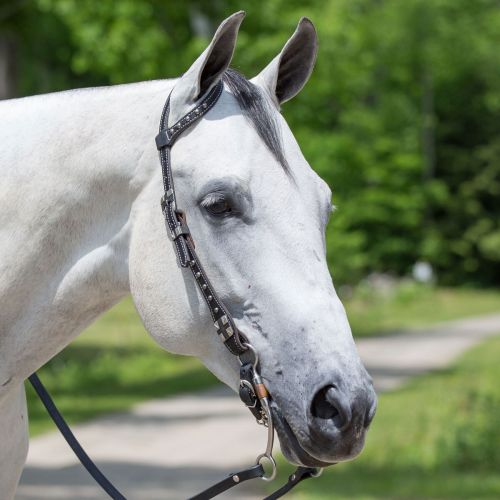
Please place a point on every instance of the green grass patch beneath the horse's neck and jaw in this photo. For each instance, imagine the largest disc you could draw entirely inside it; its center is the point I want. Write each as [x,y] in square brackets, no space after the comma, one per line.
[111,366]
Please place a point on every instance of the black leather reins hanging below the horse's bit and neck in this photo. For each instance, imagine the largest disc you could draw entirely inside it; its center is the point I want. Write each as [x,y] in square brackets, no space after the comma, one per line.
[232,480]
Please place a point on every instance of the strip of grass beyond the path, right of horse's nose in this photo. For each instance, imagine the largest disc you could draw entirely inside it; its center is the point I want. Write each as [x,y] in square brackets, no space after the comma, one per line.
[410,306]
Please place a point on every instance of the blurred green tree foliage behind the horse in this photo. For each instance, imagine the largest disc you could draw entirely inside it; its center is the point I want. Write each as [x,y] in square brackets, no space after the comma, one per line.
[400,116]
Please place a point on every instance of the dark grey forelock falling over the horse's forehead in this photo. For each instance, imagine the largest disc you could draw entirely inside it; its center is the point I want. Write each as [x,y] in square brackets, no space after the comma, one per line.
[255,107]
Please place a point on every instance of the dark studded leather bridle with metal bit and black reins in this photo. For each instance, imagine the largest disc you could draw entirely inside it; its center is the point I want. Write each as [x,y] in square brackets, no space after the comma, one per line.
[252,389]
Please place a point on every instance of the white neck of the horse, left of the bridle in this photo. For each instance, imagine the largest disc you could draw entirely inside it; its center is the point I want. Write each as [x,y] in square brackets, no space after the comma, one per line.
[88,156]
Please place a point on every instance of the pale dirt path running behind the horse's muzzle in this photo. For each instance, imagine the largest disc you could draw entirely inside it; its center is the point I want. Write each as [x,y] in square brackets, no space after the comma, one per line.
[169,449]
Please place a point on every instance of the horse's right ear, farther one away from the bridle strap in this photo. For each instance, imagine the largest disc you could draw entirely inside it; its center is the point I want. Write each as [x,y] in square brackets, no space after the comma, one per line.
[288,72]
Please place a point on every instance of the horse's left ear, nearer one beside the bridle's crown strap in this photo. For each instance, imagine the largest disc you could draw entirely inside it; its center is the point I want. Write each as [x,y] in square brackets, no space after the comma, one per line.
[207,70]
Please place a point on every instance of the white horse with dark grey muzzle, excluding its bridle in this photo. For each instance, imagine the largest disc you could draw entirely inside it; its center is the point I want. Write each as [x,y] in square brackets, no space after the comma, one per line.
[81,227]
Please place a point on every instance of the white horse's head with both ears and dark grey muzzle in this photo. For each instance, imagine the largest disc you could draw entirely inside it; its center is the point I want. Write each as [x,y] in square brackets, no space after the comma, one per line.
[258,214]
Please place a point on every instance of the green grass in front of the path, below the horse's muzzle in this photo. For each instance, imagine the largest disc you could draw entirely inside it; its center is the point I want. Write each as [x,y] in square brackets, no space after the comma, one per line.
[438,437]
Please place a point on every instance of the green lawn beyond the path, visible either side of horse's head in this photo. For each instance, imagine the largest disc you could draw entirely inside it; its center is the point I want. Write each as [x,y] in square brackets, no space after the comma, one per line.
[115,364]
